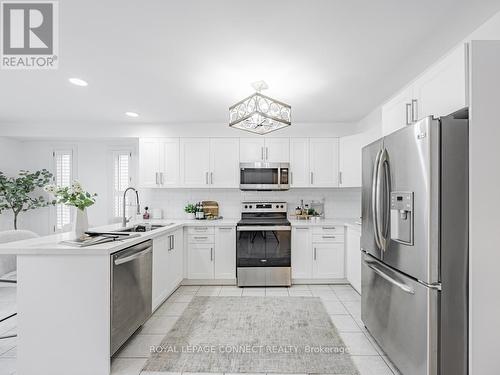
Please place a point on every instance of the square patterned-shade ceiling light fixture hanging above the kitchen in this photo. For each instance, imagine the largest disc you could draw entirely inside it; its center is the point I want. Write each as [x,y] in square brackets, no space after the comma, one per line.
[258,113]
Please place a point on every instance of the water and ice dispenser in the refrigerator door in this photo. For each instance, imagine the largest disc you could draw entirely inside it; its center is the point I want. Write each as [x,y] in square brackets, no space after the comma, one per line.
[402,217]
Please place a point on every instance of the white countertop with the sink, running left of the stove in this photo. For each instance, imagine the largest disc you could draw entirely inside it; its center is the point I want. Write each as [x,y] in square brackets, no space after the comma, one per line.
[51,245]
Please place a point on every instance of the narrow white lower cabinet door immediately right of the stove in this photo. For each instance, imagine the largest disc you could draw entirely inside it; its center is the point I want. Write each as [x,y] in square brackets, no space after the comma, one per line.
[301,253]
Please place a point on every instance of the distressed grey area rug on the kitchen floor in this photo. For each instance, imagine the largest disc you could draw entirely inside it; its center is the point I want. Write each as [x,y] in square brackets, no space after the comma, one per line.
[253,335]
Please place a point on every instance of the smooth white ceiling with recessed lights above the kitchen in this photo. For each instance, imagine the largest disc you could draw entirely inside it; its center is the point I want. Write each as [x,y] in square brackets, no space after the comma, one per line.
[187,61]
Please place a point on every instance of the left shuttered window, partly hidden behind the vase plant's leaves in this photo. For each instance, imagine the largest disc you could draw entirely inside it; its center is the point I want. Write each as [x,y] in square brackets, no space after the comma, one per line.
[63,176]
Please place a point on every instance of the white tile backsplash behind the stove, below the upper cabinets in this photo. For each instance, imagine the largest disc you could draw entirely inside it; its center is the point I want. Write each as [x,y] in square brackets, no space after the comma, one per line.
[339,203]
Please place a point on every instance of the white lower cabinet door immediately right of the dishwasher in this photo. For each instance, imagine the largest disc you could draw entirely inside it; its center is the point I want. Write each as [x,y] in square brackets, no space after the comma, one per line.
[161,280]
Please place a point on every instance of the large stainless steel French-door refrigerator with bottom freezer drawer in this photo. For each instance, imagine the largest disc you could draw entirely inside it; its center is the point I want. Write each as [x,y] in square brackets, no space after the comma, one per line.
[414,245]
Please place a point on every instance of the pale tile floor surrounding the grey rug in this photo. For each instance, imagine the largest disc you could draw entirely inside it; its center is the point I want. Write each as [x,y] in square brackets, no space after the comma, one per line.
[342,302]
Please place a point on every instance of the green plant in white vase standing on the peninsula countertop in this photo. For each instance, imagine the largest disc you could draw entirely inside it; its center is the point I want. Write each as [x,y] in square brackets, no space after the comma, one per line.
[75,196]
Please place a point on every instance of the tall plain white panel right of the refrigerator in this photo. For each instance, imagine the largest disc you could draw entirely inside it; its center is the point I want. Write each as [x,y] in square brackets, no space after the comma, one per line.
[484,201]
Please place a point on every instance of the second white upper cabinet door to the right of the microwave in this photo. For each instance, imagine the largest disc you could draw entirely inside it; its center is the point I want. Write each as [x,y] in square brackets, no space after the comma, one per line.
[324,162]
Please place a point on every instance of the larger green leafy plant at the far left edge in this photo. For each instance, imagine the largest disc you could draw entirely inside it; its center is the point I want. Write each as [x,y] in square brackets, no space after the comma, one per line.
[16,192]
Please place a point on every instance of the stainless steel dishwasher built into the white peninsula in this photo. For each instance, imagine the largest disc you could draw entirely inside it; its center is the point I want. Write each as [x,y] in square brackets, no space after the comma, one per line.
[131,284]
